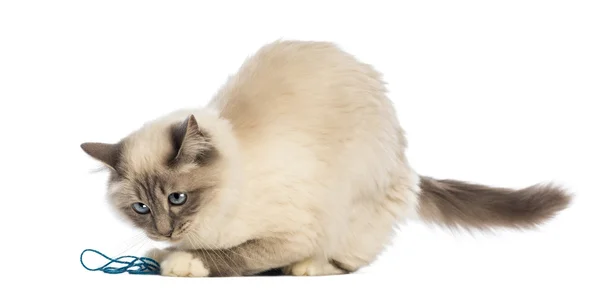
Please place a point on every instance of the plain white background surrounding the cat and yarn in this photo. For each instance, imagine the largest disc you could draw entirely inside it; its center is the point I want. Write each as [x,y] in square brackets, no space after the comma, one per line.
[499,92]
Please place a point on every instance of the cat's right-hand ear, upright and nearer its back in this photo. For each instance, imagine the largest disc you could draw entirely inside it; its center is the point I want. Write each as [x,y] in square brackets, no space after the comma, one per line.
[191,143]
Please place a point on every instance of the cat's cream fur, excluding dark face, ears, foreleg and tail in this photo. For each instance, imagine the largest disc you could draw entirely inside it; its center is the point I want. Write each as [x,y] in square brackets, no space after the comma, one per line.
[314,158]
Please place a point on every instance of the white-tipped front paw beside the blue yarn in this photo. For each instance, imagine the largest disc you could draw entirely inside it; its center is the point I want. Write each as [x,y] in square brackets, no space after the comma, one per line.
[182,264]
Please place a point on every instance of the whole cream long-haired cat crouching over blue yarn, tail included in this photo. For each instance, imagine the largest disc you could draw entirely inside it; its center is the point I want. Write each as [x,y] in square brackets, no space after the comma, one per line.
[296,163]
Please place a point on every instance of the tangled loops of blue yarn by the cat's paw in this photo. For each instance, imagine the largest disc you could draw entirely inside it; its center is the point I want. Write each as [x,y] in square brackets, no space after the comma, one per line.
[131,264]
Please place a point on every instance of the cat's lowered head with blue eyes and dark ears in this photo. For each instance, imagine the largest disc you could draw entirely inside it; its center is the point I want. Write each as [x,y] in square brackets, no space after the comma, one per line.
[173,177]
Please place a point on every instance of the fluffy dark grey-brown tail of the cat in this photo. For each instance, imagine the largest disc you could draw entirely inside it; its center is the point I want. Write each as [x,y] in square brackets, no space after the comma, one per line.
[457,204]
